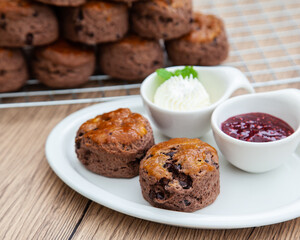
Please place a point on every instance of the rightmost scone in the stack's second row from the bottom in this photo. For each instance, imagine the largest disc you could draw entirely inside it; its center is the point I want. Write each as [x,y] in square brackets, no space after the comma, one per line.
[162,19]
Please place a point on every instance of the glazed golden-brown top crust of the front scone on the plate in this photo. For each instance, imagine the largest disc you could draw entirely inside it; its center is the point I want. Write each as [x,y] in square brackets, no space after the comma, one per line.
[190,154]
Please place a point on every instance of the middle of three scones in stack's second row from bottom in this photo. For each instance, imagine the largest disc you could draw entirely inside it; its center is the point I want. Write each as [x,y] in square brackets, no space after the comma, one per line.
[95,22]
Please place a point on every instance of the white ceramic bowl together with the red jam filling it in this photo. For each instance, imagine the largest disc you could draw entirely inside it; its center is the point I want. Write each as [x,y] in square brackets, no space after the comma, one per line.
[258,132]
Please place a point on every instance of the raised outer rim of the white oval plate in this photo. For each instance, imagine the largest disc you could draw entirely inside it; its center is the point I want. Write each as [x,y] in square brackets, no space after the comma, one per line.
[181,219]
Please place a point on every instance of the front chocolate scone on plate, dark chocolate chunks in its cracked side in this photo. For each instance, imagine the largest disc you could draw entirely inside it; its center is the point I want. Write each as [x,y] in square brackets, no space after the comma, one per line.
[181,174]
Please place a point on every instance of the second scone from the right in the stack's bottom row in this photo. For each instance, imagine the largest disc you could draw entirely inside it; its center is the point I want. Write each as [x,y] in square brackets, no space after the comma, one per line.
[132,58]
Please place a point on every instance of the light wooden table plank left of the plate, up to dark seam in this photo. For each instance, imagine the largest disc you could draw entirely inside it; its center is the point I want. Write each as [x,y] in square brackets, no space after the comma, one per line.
[35,204]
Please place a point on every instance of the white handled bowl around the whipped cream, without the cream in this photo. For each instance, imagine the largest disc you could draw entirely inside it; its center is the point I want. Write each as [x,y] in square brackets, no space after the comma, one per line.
[220,83]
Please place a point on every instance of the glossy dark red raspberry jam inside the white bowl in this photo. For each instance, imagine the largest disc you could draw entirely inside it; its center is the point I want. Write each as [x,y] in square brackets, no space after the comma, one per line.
[256,127]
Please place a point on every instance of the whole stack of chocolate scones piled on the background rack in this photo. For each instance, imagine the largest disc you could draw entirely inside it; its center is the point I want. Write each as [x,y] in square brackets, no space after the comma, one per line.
[128,36]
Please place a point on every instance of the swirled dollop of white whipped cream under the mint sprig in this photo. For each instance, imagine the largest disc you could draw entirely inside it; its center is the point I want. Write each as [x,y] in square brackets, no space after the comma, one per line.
[182,94]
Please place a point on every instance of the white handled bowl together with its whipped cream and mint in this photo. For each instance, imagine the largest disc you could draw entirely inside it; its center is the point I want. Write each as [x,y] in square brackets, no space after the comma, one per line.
[218,82]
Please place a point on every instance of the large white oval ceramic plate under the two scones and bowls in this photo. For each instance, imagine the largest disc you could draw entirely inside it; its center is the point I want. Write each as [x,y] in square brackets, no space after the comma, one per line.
[246,200]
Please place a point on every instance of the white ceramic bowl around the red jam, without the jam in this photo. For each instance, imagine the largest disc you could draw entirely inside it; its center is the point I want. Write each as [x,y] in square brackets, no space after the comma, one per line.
[259,156]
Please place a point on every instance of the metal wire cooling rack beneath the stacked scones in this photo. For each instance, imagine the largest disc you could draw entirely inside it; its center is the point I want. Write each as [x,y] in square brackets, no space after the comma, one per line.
[264,37]
